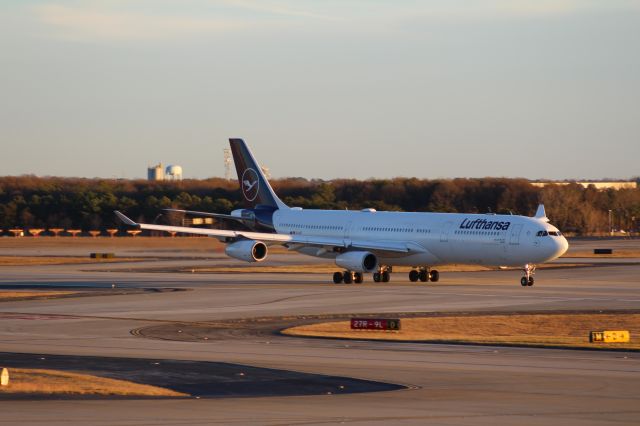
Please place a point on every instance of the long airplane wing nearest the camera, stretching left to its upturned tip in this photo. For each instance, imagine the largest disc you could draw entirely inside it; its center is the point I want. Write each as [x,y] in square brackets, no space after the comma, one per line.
[396,247]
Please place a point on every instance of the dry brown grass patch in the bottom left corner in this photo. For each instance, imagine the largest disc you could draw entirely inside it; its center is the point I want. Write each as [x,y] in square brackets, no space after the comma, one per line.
[53,382]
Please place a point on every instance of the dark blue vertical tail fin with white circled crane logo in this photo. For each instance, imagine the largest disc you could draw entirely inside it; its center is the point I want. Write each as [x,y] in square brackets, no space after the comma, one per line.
[255,187]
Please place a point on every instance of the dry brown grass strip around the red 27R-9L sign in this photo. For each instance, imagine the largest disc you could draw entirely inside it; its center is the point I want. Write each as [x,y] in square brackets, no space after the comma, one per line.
[549,329]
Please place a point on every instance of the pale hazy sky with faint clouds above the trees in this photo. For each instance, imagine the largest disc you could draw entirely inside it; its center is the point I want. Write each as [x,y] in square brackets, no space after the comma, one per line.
[540,89]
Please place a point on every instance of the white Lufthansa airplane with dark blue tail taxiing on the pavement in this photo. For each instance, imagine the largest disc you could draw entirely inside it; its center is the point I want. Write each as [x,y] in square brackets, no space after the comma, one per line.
[370,241]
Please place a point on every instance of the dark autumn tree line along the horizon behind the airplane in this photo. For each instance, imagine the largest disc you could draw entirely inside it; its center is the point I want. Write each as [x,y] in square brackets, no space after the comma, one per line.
[50,202]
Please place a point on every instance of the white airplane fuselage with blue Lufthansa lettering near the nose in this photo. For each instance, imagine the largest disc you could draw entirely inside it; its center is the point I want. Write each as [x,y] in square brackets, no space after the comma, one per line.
[439,238]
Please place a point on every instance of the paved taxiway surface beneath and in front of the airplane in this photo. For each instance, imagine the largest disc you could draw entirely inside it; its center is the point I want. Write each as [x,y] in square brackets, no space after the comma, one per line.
[446,384]
